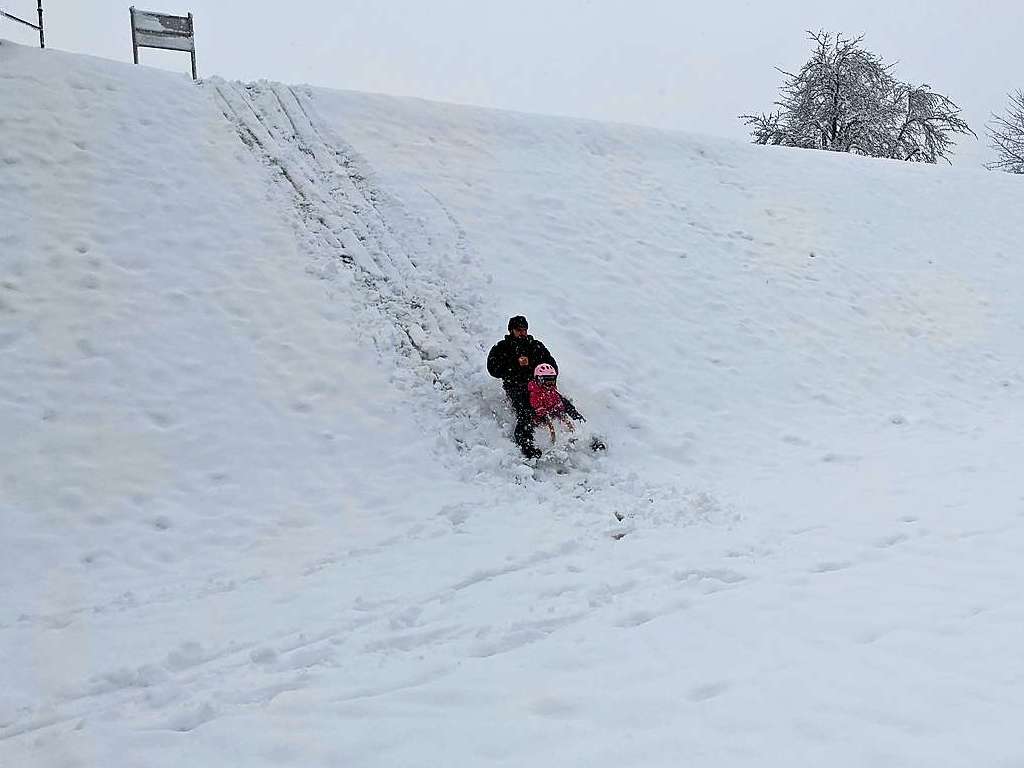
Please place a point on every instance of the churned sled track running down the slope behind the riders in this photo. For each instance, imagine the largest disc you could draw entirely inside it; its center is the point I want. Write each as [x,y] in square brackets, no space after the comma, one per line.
[345,224]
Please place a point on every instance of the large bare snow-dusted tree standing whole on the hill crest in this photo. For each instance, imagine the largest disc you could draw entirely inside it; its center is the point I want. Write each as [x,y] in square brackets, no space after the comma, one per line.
[845,99]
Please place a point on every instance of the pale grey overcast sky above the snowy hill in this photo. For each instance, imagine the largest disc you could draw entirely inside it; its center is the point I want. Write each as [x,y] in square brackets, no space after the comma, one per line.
[670,64]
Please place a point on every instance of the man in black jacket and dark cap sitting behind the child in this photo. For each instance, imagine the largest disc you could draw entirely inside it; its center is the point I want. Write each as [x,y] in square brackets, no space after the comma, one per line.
[513,360]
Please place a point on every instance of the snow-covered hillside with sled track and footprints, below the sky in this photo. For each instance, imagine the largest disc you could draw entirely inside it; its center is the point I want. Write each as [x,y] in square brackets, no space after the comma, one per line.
[259,499]
